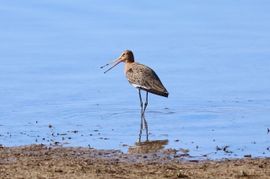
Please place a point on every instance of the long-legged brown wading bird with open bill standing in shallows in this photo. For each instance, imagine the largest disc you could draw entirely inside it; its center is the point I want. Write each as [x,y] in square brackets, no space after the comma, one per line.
[142,78]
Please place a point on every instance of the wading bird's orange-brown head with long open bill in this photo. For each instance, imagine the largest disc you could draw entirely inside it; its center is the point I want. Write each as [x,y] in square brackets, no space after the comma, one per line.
[126,57]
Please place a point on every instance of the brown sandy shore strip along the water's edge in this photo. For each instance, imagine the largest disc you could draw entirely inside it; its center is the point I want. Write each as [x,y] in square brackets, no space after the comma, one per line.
[40,161]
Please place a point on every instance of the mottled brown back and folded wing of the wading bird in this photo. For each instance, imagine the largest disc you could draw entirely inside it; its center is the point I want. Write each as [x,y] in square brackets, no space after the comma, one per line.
[146,79]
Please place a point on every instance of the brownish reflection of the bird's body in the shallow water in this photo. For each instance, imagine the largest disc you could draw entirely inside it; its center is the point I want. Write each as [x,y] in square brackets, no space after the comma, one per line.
[147,146]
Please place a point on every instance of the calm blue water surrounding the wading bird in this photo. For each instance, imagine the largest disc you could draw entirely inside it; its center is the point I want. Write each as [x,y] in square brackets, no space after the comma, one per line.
[212,56]
